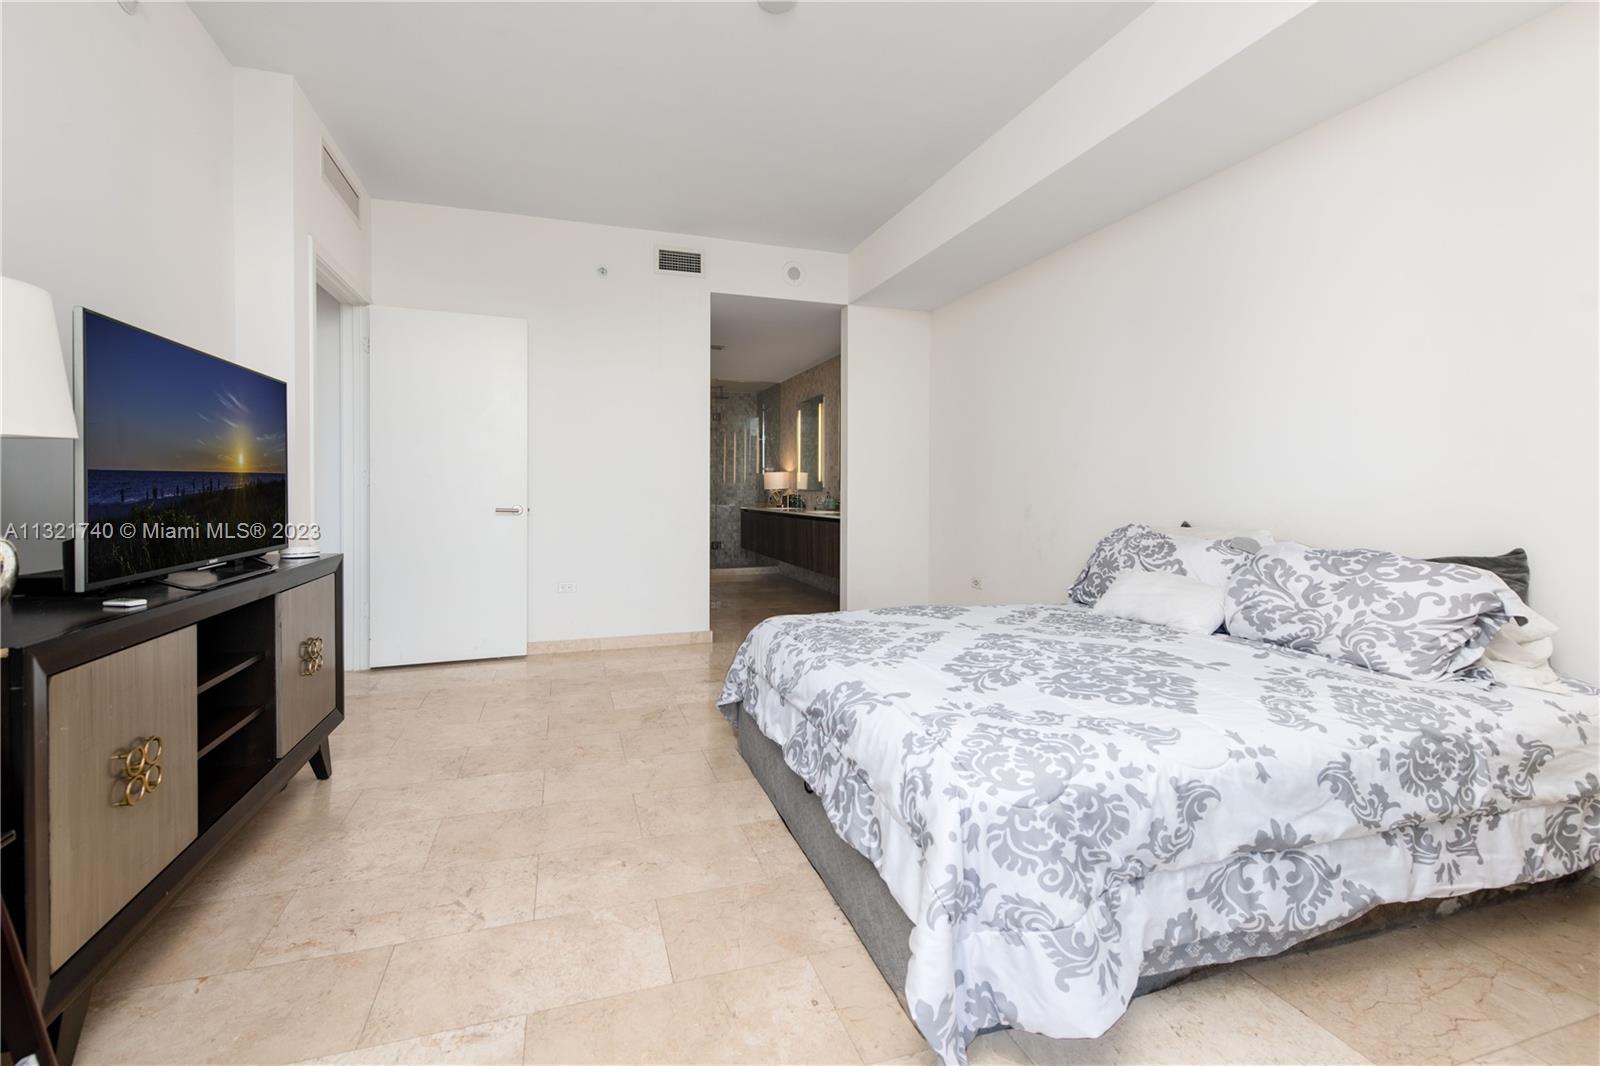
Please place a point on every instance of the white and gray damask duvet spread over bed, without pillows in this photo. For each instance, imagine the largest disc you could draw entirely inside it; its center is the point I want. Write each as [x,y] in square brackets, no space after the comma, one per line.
[1063,801]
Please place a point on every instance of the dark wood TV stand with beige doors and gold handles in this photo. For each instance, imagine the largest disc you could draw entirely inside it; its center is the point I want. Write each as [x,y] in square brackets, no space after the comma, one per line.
[230,694]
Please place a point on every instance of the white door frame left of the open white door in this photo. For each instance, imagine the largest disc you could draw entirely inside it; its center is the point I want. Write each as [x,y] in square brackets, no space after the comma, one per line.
[354,355]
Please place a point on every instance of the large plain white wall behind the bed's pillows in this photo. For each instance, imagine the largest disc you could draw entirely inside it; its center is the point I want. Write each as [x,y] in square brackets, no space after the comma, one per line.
[1378,334]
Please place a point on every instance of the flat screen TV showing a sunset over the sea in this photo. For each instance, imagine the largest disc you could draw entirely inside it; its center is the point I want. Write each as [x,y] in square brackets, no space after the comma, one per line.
[182,462]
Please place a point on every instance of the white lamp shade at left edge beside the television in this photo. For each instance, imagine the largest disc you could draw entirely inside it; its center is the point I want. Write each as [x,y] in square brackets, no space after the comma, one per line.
[36,399]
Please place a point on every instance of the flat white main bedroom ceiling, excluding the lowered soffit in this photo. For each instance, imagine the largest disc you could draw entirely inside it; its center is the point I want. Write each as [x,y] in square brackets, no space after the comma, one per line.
[807,129]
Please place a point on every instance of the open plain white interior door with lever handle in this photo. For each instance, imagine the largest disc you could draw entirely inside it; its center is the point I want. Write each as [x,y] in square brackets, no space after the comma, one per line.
[449,487]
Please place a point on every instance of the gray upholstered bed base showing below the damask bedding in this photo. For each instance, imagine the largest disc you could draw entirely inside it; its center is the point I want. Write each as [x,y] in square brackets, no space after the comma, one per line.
[886,931]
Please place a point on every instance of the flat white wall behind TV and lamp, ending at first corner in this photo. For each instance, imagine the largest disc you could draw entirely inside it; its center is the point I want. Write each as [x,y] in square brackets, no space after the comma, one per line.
[118,194]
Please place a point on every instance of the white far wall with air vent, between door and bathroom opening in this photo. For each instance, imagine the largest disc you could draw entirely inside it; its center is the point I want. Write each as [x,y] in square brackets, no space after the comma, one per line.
[620,412]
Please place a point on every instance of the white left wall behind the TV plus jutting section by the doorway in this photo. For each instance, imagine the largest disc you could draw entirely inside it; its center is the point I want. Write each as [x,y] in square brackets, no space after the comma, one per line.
[150,180]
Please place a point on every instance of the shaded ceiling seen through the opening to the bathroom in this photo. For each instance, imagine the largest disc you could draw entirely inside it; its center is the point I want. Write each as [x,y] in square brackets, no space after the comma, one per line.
[770,340]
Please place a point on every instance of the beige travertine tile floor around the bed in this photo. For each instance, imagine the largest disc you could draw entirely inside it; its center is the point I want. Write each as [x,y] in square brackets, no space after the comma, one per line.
[564,860]
